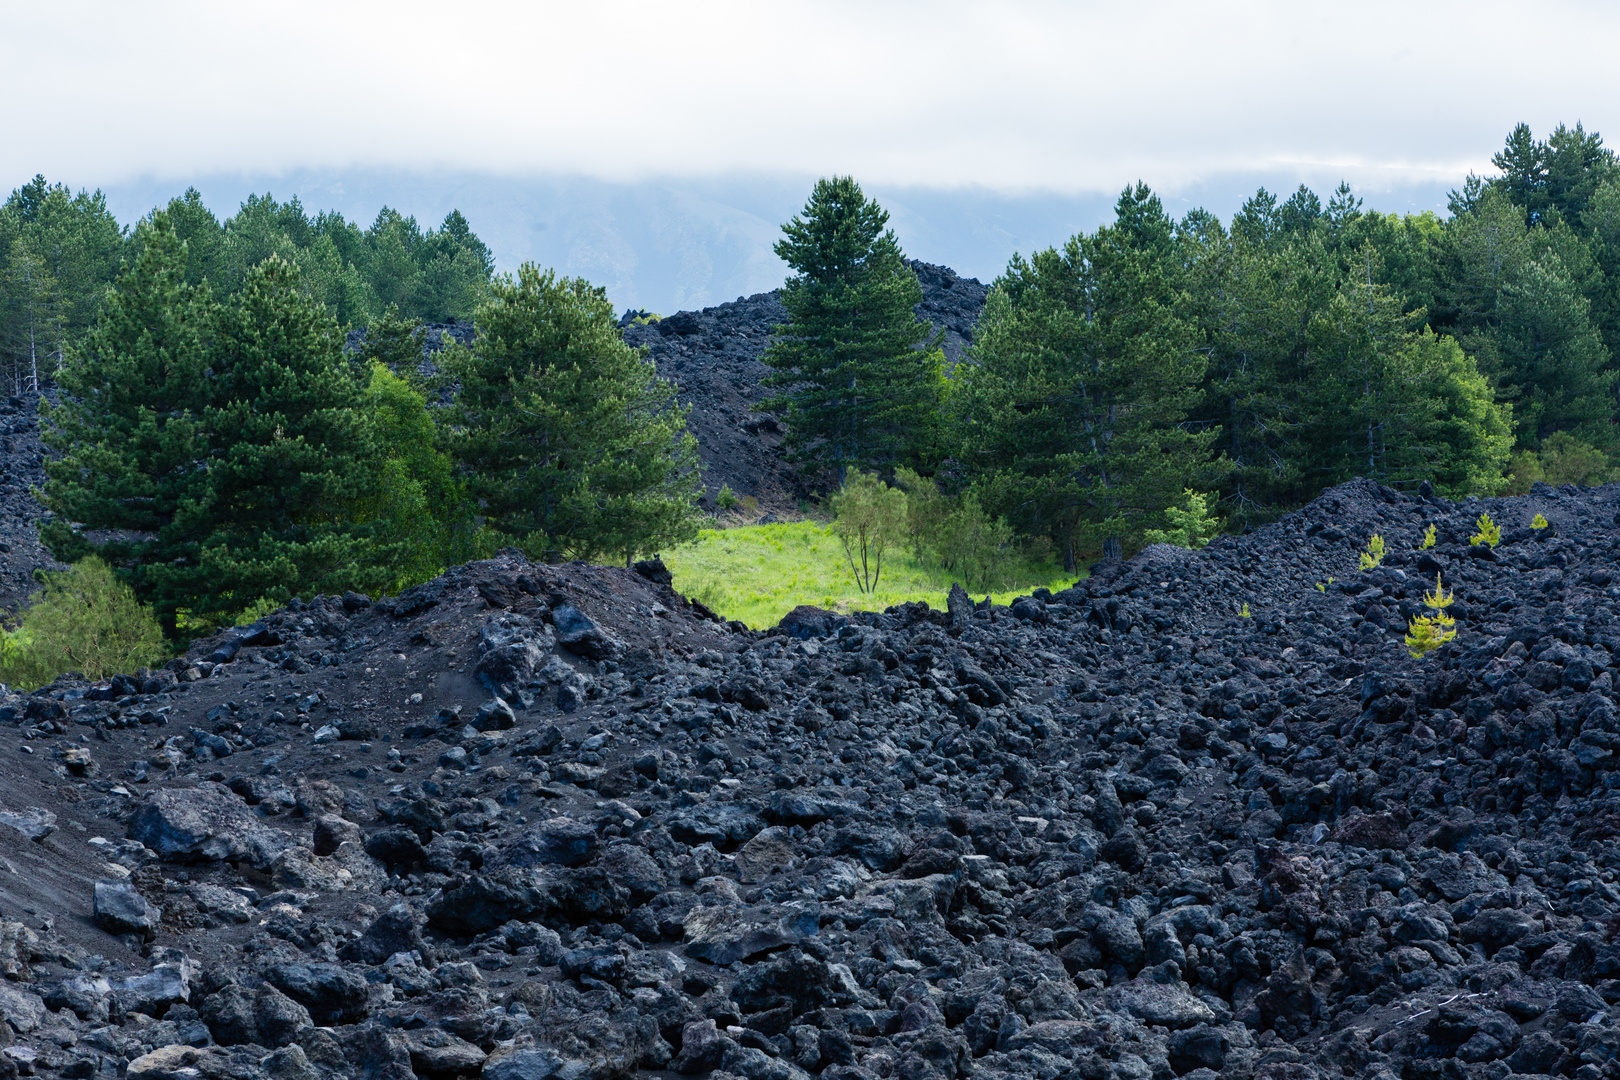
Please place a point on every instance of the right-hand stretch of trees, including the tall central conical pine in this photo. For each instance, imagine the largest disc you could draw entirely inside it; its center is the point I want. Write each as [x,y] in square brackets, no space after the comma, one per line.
[1140,367]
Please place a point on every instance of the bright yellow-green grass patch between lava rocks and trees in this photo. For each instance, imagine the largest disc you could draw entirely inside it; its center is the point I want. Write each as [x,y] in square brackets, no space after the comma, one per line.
[762,572]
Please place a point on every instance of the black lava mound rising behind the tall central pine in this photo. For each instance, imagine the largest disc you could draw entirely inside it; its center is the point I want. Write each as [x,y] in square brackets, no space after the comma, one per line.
[714,355]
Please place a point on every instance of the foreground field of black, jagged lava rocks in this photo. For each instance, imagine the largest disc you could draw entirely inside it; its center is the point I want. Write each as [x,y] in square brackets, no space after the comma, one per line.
[555,822]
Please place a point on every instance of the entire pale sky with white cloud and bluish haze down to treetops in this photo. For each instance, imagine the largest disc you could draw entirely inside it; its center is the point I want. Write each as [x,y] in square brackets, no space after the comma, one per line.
[660,147]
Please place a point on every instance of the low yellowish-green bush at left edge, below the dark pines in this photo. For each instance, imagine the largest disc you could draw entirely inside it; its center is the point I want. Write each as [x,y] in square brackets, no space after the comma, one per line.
[83,621]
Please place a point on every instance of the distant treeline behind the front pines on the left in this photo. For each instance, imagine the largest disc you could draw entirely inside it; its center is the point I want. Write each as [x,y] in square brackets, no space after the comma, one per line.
[61,252]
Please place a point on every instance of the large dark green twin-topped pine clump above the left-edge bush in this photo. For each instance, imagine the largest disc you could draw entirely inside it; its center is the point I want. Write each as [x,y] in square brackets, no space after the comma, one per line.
[220,454]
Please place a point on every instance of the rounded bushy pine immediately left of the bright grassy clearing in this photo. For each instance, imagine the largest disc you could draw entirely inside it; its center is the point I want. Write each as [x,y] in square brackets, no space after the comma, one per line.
[568,435]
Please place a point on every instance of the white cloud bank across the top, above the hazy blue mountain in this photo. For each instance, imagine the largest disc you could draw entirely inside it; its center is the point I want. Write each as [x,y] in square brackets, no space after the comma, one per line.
[1008,96]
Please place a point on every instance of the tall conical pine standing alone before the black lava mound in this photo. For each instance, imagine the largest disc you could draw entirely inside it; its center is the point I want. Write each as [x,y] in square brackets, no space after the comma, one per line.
[863,380]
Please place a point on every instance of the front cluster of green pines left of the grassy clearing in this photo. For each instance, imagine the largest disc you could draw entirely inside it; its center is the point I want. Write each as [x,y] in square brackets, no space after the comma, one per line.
[223,453]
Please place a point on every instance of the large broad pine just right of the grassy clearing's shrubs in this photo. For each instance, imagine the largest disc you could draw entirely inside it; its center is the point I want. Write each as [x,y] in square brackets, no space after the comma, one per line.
[1072,419]
